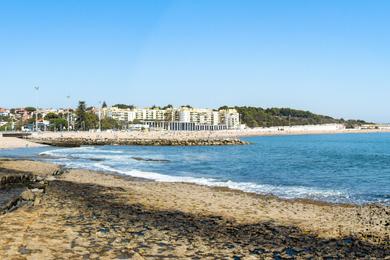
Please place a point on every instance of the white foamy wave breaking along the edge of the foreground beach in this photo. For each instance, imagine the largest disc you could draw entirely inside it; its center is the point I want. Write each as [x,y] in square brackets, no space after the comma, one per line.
[119,162]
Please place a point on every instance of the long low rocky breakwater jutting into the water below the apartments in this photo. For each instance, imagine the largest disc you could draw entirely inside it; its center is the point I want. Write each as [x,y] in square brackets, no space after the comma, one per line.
[77,142]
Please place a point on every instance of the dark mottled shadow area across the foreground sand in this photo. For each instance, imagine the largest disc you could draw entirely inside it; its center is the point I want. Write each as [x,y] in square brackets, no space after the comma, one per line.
[110,212]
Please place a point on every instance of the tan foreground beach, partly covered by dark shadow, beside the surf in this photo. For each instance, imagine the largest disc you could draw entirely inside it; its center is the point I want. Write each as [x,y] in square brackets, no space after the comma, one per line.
[92,214]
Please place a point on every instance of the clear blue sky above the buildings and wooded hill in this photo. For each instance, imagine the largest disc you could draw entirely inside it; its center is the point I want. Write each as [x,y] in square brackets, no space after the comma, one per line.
[330,57]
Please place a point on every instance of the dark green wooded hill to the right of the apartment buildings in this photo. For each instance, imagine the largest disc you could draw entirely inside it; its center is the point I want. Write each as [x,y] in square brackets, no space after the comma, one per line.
[259,117]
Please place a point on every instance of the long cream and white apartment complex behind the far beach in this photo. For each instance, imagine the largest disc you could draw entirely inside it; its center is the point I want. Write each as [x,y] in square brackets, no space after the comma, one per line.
[184,118]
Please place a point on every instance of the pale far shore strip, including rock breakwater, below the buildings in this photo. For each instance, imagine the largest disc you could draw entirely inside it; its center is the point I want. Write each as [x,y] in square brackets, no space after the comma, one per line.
[163,138]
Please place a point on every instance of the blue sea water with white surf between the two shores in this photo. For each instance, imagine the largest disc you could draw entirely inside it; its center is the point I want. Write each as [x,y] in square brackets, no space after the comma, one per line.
[344,168]
